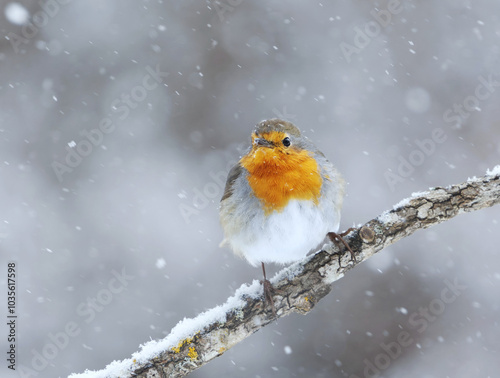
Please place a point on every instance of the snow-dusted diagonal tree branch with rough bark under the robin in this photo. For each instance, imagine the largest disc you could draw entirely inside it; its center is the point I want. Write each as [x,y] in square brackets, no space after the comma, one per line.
[194,342]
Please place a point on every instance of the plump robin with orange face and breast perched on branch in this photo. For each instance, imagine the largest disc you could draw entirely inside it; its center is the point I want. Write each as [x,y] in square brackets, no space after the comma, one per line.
[281,199]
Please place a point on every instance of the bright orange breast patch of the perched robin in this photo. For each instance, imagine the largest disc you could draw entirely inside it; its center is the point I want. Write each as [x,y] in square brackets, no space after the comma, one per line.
[277,177]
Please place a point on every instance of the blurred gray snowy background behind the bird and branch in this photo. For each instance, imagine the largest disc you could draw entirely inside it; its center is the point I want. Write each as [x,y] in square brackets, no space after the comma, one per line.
[371,83]
